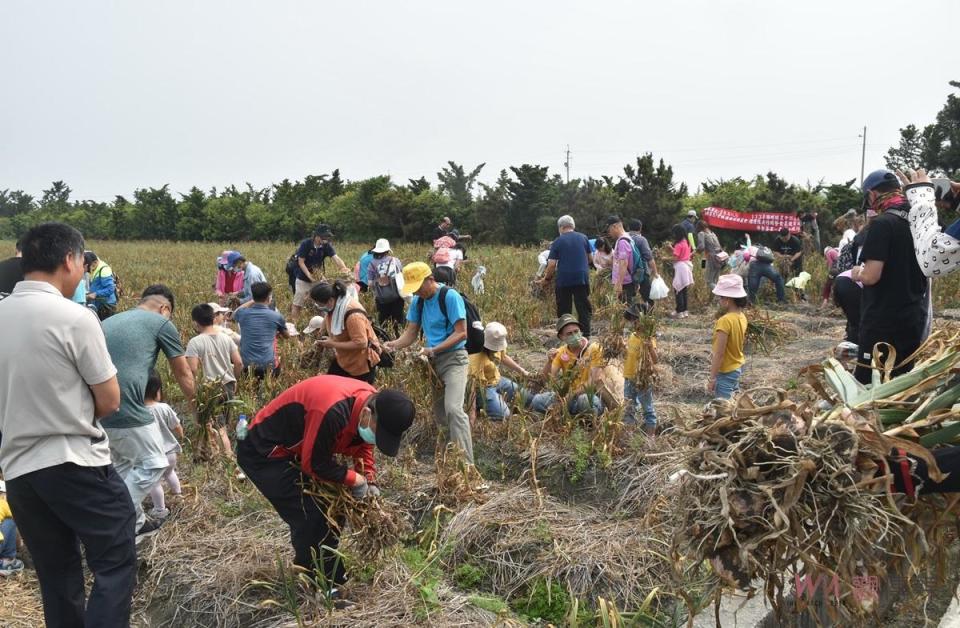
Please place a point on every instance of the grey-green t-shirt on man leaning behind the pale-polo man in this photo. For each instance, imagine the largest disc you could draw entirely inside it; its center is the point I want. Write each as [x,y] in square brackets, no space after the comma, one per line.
[135,338]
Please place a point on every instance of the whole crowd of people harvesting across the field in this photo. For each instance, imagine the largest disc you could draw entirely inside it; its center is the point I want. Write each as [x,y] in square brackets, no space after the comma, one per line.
[87,437]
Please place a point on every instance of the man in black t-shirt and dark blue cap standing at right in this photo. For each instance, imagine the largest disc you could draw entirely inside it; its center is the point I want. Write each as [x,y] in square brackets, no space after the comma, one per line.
[893,306]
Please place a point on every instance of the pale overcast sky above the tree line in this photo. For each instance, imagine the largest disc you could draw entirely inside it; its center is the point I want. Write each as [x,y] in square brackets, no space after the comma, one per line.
[111,96]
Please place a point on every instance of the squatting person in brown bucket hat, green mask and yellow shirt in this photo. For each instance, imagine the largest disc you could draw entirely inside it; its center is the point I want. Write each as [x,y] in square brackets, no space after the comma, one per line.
[579,361]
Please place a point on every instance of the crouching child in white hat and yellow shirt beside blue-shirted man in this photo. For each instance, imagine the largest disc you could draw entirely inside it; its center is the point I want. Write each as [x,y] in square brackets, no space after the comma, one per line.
[498,391]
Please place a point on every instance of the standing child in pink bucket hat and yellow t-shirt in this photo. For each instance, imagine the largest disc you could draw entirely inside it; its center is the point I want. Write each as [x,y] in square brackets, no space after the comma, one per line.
[728,338]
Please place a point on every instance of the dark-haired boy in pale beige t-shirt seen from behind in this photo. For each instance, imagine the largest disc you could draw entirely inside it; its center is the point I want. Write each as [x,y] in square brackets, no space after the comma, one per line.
[221,362]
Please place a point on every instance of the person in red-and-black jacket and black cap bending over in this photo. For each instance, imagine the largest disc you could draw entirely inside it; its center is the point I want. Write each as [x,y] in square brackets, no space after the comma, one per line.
[294,438]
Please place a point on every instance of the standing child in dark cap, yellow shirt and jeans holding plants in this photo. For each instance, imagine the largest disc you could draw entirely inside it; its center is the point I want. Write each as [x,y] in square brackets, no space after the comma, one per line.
[641,356]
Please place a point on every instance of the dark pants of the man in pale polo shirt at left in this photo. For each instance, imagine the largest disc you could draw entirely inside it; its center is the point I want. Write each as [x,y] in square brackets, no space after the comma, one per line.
[57,509]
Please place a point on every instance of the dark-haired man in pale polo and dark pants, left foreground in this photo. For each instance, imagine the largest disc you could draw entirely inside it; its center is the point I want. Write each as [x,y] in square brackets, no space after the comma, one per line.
[56,380]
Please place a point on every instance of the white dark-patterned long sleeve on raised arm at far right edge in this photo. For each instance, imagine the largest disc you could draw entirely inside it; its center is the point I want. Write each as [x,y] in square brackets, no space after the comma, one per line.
[937,253]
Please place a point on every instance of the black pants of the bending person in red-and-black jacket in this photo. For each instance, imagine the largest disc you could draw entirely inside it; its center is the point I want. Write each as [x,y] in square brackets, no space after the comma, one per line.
[281,482]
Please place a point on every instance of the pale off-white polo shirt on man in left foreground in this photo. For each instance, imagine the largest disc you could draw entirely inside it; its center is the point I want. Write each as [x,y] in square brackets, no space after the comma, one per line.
[53,350]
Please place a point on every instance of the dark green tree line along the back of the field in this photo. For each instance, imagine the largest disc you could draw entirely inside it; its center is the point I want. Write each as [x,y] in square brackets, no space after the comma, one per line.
[520,207]
